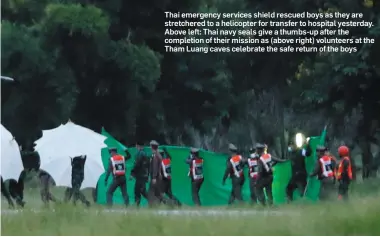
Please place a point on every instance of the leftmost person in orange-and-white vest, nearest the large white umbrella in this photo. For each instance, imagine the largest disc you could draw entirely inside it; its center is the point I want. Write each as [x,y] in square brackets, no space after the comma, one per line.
[117,167]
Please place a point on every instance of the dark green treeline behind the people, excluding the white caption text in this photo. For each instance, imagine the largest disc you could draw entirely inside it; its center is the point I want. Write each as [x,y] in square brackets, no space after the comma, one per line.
[102,64]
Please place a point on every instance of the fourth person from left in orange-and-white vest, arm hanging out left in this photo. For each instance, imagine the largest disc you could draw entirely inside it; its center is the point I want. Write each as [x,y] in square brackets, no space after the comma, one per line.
[234,170]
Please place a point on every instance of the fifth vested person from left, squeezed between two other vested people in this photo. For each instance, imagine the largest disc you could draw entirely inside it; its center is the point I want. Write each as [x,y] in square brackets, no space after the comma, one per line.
[252,163]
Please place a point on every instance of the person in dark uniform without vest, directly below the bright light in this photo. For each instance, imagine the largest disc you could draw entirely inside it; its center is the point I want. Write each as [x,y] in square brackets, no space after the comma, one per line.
[299,174]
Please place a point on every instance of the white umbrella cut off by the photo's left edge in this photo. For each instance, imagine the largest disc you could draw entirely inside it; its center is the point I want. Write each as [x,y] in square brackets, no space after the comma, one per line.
[11,162]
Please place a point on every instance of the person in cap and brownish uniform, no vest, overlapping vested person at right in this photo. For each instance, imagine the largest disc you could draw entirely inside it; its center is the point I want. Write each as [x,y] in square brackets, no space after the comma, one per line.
[155,187]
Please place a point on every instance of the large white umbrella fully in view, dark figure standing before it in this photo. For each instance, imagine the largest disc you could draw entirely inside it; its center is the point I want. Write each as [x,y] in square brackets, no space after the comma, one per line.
[57,147]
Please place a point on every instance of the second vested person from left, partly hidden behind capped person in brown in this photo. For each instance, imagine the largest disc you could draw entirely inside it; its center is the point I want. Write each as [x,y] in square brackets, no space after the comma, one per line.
[166,184]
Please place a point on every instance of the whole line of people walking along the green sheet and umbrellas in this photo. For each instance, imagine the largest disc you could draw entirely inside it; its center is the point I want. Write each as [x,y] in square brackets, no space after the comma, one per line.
[157,170]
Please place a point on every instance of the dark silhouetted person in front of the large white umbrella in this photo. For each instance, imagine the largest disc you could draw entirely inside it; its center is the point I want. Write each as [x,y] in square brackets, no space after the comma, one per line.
[77,177]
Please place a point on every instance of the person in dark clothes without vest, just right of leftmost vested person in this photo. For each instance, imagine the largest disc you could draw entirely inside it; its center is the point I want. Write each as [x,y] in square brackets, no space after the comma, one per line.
[140,172]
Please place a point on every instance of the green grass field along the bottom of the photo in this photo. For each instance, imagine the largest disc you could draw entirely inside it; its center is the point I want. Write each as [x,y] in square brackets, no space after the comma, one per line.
[359,216]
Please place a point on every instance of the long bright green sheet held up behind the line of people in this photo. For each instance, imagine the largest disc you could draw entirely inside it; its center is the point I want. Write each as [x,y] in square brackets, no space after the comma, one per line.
[212,192]
